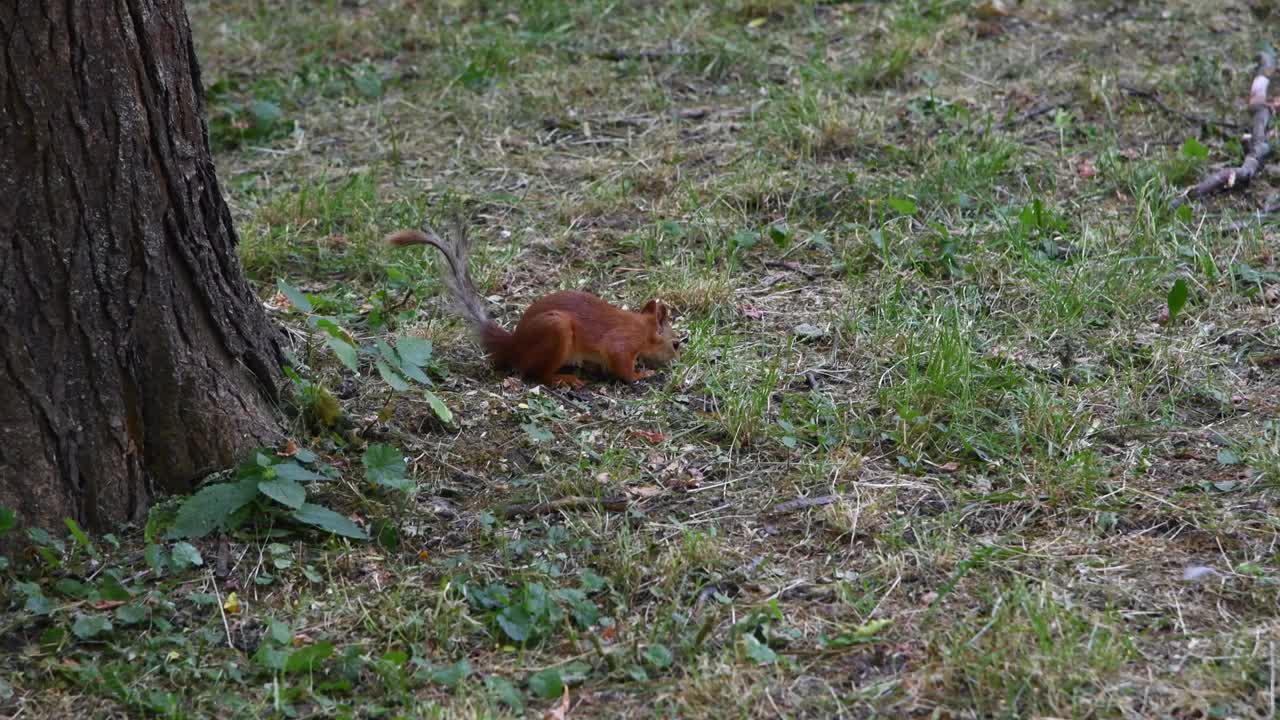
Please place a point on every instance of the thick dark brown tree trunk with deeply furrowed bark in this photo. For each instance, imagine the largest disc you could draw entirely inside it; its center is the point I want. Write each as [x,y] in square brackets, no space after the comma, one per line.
[136,358]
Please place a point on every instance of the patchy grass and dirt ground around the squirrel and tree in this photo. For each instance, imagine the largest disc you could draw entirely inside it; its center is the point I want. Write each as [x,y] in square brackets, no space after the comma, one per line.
[945,440]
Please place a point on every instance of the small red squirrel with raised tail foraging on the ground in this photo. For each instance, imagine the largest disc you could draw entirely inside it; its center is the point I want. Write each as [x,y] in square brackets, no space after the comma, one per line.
[559,330]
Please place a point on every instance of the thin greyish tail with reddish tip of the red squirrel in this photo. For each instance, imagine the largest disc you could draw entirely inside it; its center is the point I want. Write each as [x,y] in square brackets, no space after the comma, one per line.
[464,297]
